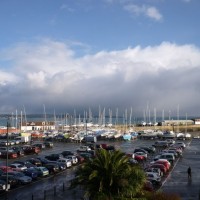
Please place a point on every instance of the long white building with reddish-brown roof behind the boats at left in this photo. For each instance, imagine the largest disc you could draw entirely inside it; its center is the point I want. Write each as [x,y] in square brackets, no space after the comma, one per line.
[38,126]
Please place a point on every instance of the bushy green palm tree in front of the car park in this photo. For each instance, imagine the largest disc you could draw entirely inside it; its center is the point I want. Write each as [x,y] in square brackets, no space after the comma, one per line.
[109,176]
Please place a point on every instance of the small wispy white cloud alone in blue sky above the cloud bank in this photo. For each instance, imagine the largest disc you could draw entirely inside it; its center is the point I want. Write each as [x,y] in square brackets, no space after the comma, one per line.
[149,11]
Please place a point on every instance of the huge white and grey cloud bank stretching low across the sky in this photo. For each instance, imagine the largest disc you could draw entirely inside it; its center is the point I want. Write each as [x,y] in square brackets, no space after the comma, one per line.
[50,73]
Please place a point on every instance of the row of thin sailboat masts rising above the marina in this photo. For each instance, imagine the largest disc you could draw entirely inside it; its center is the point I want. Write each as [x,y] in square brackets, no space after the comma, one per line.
[88,117]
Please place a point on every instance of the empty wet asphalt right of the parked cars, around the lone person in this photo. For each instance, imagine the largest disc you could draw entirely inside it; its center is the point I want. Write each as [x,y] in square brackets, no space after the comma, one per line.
[177,182]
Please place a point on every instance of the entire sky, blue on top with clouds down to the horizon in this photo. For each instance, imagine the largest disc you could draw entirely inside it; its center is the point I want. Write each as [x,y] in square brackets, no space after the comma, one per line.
[75,55]
